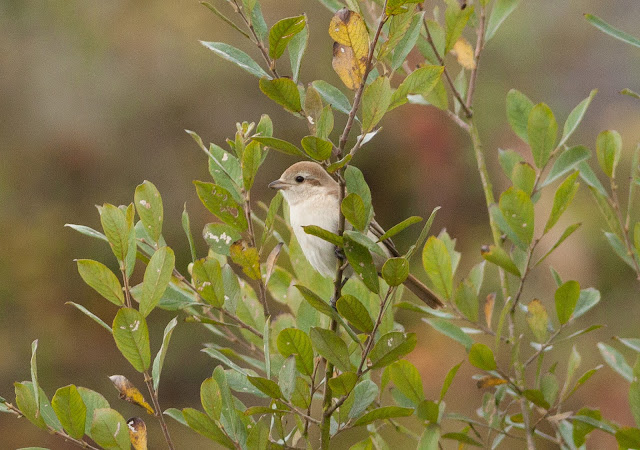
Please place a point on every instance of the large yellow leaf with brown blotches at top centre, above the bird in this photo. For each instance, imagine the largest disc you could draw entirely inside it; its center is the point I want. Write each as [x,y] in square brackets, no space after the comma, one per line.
[348,29]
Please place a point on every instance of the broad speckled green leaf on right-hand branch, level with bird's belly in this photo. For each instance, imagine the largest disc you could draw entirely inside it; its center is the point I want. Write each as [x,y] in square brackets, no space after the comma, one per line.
[517,209]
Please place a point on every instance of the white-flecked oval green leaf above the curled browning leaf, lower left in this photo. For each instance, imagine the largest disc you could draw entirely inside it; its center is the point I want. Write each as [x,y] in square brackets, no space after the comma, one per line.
[132,338]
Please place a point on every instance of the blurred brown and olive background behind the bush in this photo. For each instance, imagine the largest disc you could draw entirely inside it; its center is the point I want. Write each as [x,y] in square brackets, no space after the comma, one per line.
[95,97]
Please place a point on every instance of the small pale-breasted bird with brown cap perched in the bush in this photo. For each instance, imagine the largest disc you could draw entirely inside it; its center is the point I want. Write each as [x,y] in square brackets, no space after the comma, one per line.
[313,197]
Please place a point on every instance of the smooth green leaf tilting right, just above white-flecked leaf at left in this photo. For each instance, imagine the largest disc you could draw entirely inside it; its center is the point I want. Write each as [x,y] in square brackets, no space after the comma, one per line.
[156,279]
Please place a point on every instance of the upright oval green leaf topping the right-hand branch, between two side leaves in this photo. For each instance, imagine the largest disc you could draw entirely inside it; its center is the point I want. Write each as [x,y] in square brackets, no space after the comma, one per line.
[542,130]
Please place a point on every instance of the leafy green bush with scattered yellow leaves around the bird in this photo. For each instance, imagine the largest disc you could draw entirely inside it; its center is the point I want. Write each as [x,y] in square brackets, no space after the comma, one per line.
[312,370]
